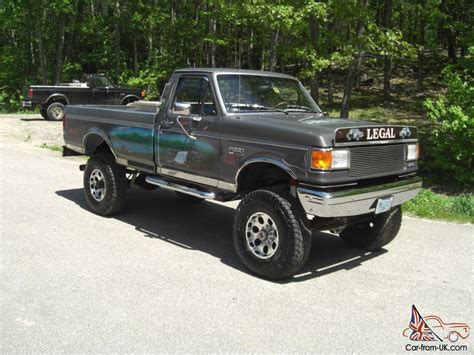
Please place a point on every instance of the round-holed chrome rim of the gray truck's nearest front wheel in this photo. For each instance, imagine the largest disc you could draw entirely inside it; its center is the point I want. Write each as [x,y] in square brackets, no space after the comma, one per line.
[262,235]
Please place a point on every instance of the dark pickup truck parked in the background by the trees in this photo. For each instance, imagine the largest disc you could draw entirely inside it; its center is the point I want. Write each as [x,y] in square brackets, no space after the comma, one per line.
[96,89]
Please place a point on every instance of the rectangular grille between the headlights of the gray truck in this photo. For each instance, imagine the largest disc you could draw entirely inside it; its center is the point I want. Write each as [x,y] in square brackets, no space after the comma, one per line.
[377,160]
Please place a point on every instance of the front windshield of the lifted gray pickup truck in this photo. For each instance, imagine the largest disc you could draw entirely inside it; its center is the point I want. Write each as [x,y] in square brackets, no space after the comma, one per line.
[248,93]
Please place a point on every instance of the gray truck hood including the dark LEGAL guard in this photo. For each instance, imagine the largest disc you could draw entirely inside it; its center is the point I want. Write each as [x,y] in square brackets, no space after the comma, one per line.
[323,131]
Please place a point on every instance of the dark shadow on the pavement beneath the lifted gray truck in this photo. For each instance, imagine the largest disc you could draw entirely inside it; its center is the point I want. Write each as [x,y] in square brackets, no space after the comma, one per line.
[207,227]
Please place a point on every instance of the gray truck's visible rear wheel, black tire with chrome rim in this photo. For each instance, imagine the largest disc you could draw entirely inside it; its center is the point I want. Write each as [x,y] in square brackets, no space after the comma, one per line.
[105,185]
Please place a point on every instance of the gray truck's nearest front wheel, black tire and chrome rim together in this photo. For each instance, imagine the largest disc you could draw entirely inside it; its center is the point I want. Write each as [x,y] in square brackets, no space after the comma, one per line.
[269,236]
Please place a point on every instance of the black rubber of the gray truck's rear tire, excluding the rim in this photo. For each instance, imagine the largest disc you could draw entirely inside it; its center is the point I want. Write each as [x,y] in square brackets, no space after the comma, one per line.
[116,185]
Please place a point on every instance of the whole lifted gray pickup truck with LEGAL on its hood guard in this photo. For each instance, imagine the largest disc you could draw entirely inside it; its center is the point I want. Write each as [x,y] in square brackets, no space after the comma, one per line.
[226,134]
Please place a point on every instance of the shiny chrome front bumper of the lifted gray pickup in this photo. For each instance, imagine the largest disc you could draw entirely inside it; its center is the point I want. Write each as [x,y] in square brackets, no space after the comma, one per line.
[355,201]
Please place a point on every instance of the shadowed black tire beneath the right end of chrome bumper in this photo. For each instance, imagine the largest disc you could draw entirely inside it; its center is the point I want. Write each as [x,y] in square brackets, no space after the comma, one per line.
[375,233]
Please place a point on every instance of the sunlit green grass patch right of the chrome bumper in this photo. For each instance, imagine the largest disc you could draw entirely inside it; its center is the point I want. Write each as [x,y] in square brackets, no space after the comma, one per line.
[437,206]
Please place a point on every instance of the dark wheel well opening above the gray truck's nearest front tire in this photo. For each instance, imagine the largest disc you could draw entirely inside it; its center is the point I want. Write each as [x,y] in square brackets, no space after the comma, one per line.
[257,175]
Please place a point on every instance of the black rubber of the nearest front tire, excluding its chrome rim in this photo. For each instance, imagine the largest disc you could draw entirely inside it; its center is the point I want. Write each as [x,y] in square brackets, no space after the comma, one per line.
[286,262]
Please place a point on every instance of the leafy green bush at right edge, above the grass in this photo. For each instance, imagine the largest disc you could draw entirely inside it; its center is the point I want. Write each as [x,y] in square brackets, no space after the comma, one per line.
[450,144]
